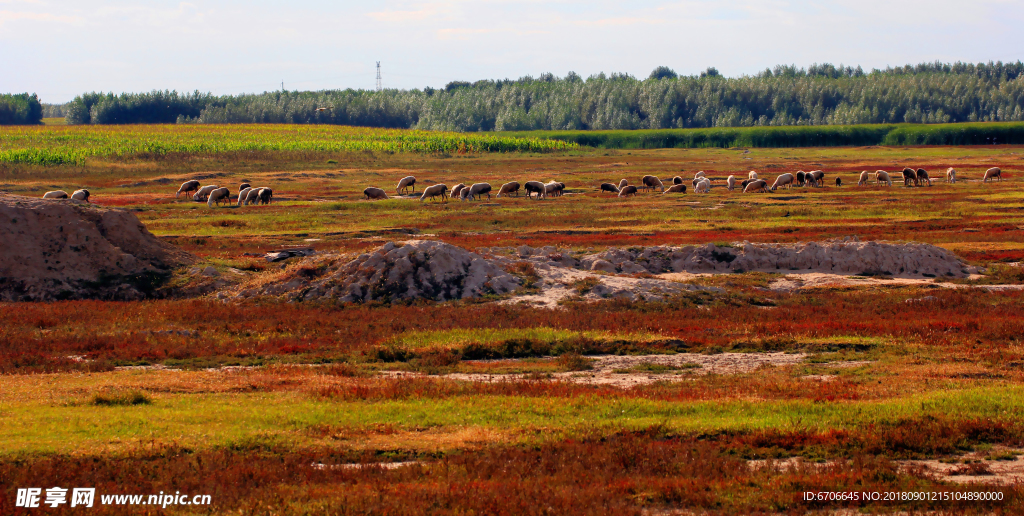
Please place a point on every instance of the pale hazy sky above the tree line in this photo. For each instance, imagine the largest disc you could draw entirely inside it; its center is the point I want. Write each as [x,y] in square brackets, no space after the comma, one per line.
[60,50]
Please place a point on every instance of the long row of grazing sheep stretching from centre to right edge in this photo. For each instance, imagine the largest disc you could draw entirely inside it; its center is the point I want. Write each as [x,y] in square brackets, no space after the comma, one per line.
[701,185]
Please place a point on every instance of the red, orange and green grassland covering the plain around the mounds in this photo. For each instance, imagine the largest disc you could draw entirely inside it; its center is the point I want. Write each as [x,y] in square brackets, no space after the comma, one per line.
[258,395]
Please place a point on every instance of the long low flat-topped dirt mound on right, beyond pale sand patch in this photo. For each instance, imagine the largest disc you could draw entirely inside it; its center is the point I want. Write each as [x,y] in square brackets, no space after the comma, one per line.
[842,256]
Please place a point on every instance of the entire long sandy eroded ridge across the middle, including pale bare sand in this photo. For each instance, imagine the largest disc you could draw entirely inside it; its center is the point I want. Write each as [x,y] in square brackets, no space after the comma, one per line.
[432,270]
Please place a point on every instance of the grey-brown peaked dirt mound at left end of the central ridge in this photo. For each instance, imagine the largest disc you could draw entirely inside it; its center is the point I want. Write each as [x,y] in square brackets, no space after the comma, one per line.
[417,270]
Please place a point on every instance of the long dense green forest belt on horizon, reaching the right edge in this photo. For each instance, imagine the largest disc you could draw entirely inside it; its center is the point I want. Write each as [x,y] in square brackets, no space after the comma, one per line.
[822,95]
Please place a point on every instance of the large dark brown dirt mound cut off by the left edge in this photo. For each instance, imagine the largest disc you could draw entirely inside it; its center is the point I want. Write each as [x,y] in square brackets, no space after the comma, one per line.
[74,250]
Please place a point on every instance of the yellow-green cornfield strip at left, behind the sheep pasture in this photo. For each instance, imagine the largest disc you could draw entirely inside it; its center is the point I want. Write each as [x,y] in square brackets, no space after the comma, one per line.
[73,145]
